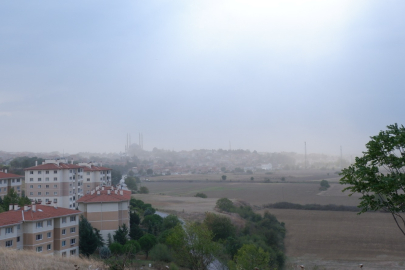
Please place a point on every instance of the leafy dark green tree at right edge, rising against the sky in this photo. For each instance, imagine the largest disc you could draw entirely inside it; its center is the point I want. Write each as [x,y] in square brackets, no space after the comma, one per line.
[379,175]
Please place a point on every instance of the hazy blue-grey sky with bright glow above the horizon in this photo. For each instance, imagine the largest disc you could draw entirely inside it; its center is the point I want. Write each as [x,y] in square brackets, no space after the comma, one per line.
[265,75]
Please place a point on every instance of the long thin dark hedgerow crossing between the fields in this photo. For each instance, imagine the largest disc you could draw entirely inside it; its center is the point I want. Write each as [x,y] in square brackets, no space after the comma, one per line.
[328,207]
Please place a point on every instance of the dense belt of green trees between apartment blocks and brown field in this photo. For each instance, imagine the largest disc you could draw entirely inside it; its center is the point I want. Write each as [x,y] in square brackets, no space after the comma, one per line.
[259,243]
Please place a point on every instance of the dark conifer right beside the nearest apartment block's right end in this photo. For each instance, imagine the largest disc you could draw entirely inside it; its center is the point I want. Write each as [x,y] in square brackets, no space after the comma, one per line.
[88,241]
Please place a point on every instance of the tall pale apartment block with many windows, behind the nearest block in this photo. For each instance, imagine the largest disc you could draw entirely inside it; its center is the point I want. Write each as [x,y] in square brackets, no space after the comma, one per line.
[55,181]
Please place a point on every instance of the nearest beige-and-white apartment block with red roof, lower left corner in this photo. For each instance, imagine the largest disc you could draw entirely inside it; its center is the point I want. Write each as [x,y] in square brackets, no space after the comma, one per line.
[43,228]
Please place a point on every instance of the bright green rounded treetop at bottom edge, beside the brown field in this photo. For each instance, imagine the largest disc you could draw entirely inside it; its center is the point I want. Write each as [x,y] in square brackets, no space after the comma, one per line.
[250,257]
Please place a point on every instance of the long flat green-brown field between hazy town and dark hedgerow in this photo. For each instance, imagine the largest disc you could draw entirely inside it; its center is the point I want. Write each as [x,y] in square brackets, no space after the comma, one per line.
[256,193]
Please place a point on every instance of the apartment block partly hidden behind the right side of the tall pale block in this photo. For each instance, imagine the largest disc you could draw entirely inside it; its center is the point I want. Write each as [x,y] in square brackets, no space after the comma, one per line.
[94,175]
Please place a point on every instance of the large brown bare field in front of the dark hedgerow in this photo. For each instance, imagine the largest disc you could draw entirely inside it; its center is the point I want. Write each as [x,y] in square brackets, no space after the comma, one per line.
[337,239]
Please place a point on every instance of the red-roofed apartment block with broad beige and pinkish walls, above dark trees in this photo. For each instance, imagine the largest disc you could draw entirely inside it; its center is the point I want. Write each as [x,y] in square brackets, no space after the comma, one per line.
[106,208]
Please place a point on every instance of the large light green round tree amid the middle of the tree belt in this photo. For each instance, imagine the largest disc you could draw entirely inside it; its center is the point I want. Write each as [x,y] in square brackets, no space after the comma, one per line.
[193,245]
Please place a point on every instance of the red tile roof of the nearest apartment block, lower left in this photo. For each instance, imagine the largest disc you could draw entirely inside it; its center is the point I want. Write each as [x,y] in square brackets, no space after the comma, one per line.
[42,212]
